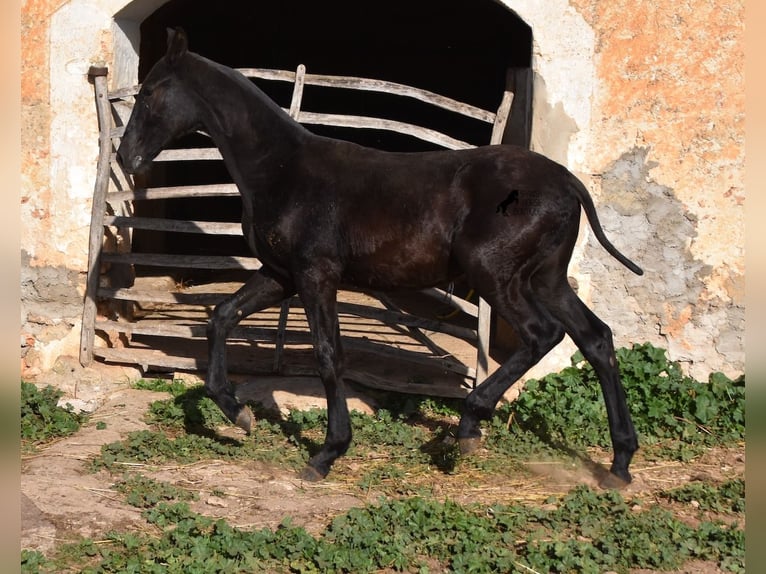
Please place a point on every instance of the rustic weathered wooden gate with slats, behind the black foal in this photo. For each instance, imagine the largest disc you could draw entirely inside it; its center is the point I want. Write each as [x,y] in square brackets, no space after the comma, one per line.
[129,320]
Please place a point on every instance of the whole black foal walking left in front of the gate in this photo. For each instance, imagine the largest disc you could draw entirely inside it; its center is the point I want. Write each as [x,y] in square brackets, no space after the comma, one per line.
[323,213]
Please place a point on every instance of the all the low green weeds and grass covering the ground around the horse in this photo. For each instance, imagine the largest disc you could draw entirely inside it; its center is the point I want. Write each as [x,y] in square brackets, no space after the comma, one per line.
[411,528]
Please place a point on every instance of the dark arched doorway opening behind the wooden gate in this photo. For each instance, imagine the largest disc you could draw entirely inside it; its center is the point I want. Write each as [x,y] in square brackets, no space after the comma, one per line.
[468,50]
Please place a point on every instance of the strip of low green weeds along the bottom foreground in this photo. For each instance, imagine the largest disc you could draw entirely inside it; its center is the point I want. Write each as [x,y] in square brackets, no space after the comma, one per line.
[583,531]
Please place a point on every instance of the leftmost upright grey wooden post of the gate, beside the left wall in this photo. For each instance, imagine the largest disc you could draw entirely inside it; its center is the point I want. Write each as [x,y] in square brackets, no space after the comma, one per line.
[98,210]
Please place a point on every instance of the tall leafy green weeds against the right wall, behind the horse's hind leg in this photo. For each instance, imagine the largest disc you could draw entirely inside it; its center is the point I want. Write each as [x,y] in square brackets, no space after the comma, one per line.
[673,412]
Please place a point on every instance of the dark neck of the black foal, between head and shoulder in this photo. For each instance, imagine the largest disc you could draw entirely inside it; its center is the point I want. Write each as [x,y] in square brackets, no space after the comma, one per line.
[242,120]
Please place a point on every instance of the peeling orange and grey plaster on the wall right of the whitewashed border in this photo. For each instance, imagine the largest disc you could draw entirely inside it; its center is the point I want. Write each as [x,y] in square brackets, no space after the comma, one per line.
[667,137]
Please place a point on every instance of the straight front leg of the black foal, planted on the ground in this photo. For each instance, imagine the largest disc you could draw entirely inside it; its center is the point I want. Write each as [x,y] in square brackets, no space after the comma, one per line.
[318,293]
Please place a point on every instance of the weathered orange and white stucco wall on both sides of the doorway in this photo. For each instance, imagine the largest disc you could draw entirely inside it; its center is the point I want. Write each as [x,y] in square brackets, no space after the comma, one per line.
[644,100]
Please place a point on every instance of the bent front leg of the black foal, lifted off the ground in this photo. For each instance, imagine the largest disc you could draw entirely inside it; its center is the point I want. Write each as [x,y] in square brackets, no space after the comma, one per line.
[259,292]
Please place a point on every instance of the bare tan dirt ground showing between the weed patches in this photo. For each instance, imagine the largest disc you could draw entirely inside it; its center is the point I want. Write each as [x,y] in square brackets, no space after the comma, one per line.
[61,499]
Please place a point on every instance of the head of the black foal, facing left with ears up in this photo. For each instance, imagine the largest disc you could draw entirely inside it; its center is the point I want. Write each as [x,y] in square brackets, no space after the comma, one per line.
[164,109]
